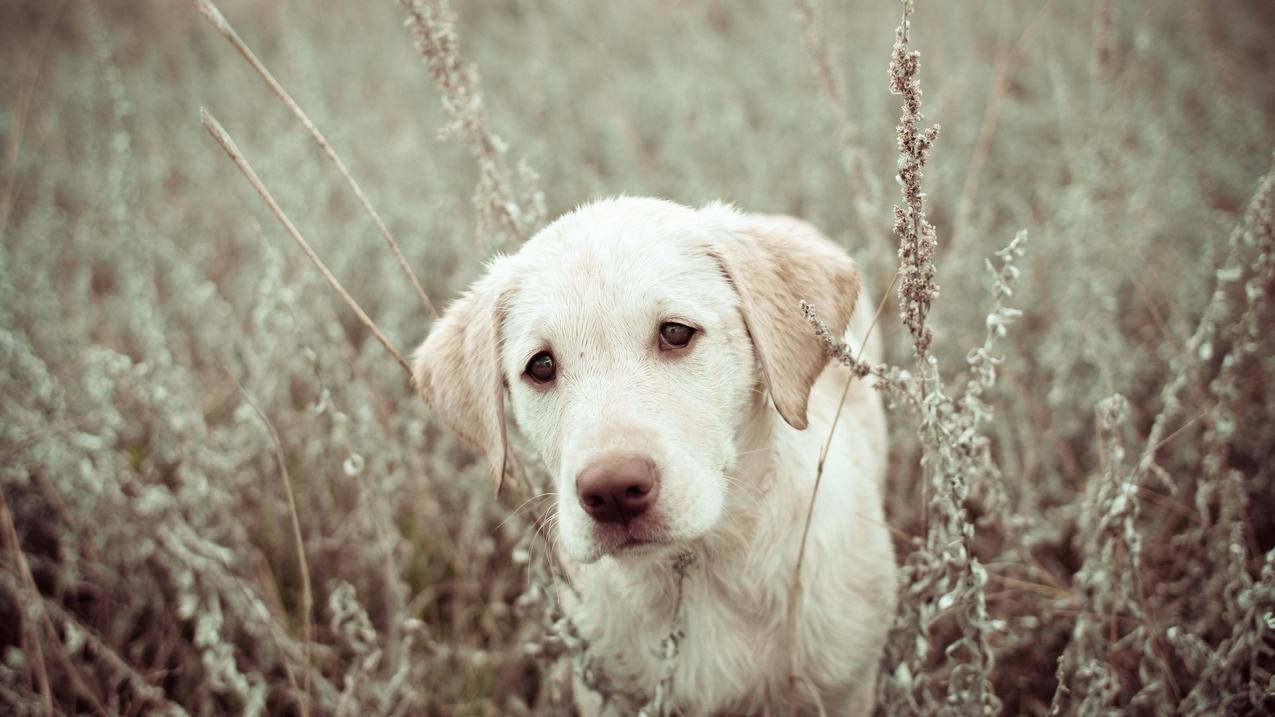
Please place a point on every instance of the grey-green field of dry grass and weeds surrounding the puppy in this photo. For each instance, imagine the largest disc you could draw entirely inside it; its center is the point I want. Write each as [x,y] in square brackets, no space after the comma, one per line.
[1083,469]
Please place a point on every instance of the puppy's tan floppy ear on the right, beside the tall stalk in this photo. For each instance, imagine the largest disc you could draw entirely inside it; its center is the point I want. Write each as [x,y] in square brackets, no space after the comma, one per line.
[776,263]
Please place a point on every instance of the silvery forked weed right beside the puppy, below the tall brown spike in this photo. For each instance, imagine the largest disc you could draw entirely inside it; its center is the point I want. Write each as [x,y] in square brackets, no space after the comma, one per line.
[943,580]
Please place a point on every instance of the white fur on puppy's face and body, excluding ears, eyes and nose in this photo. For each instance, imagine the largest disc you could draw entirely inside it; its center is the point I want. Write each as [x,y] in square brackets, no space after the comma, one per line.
[735,479]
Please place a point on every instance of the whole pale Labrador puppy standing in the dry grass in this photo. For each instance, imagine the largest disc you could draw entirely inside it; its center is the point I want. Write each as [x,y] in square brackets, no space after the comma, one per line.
[657,359]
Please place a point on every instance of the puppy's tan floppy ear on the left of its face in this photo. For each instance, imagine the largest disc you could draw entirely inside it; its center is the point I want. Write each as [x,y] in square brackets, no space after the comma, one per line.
[457,371]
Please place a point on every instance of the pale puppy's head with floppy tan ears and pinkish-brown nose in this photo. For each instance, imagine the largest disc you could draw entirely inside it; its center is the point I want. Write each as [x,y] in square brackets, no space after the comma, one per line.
[634,339]
